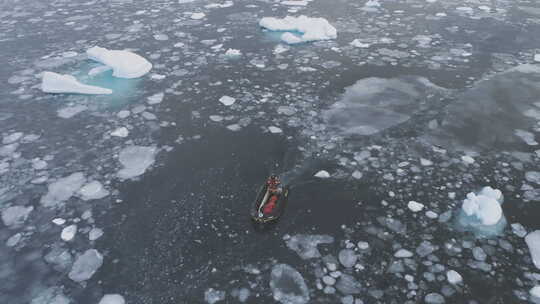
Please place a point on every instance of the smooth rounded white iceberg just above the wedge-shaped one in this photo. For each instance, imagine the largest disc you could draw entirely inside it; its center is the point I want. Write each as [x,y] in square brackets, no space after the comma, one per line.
[125,64]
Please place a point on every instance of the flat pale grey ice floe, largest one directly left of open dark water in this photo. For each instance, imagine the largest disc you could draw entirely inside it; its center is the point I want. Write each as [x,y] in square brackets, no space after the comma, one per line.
[135,160]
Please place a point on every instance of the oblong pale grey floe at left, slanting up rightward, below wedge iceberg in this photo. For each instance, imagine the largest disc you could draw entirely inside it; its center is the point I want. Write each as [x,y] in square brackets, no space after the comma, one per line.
[62,189]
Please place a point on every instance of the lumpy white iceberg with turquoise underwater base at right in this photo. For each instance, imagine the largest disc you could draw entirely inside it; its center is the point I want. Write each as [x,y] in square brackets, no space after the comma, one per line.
[485,206]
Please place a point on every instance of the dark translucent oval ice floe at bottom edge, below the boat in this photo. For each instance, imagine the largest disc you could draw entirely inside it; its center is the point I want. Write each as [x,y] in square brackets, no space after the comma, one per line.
[288,285]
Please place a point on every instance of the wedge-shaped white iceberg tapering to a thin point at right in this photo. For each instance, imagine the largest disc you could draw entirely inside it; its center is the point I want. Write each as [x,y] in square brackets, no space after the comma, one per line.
[57,83]
